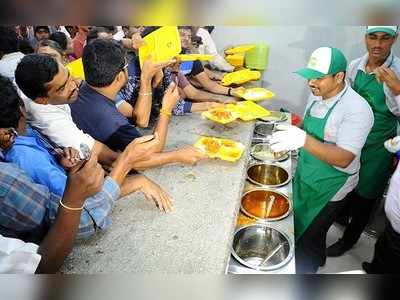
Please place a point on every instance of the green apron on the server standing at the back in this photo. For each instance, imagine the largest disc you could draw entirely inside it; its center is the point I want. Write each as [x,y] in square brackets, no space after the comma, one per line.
[376,161]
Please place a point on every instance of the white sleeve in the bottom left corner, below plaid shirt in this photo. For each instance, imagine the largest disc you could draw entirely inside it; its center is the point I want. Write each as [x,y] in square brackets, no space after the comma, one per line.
[17,256]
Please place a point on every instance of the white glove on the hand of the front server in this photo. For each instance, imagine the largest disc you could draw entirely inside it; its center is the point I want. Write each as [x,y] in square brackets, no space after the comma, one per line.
[288,137]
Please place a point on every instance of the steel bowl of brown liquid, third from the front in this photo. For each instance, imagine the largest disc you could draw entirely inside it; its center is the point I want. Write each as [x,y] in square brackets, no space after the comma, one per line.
[268,175]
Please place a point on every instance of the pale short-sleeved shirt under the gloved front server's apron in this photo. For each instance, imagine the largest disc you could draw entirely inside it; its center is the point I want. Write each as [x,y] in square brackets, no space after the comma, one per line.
[347,127]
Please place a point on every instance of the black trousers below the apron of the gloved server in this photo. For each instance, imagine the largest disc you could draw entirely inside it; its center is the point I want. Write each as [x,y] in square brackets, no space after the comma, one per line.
[311,246]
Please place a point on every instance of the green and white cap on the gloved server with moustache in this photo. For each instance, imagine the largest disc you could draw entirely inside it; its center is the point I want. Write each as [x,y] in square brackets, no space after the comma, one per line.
[324,61]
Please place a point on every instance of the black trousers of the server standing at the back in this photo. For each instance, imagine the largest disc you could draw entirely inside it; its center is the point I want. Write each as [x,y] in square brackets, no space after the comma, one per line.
[359,210]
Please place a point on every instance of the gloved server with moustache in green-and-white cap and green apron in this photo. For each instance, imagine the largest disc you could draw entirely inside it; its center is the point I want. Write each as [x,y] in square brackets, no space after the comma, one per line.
[336,124]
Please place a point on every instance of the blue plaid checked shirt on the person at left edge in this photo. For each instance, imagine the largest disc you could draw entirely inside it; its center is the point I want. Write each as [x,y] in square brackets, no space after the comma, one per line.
[25,205]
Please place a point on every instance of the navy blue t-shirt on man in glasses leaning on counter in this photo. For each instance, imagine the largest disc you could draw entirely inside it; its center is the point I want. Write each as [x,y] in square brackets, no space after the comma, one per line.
[97,116]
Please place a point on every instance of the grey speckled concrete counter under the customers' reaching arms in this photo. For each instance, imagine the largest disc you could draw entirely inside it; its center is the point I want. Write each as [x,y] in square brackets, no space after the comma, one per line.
[196,237]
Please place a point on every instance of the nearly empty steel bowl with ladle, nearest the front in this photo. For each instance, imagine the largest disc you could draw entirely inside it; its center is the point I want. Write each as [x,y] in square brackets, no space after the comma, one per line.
[254,243]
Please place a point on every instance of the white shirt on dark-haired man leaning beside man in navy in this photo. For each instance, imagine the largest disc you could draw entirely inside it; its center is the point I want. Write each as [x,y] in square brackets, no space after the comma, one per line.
[56,123]
